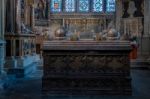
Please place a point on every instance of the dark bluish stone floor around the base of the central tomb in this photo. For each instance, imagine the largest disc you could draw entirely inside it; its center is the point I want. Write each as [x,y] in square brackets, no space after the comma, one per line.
[30,88]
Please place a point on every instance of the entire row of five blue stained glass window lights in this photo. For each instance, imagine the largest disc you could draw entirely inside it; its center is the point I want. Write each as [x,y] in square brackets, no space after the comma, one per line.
[83,5]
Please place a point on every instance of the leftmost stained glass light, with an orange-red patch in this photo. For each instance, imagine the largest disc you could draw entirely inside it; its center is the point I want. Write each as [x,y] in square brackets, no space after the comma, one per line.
[56,5]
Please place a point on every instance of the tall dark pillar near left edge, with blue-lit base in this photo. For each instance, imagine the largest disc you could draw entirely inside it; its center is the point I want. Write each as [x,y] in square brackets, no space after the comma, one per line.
[10,30]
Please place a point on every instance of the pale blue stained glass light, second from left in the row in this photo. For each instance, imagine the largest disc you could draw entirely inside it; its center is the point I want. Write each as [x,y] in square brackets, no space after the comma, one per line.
[69,5]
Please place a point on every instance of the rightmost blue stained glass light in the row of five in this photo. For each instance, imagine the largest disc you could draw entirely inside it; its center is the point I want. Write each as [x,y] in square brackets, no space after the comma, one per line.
[110,6]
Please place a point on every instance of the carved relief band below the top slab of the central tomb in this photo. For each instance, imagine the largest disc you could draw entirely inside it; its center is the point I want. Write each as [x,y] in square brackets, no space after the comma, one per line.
[85,63]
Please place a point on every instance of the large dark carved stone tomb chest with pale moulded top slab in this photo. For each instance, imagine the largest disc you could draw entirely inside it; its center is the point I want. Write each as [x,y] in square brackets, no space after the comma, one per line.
[86,67]
